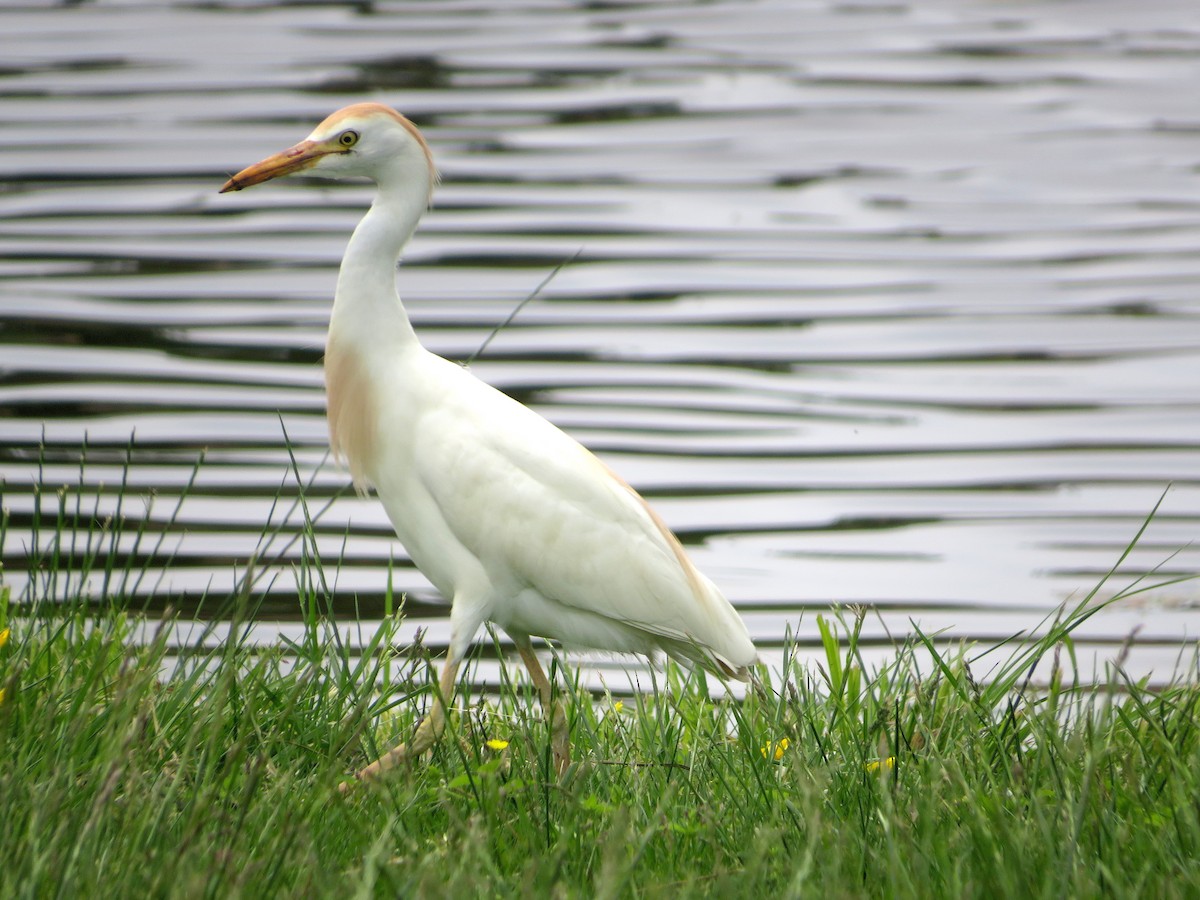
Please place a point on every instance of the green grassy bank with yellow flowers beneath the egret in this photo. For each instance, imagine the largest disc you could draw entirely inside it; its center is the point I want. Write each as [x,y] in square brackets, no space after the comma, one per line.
[134,769]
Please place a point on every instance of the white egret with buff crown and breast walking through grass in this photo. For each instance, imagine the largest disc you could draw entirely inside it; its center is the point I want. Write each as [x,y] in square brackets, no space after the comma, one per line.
[512,520]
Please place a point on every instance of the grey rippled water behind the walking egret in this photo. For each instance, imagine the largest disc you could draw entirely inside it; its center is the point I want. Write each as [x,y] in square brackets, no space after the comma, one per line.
[879,303]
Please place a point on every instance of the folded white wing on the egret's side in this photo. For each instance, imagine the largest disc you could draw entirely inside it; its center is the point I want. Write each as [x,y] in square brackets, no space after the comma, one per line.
[539,512]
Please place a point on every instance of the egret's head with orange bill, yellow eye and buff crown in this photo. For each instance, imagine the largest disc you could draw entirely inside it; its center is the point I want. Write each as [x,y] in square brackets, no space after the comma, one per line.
[361,141]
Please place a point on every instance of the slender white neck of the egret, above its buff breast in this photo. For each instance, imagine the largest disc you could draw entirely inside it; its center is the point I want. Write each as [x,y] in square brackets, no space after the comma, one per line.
[367,308]
